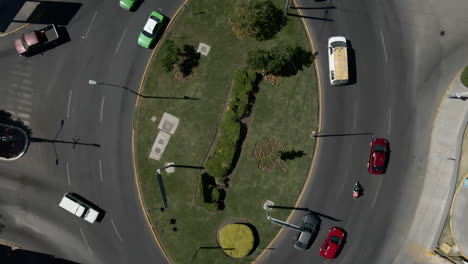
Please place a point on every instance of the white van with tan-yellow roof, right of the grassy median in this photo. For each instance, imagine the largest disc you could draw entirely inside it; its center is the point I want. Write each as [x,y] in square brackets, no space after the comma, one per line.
[338,60]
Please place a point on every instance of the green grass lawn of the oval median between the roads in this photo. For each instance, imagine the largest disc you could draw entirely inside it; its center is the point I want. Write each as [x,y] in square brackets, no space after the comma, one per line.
[288,112]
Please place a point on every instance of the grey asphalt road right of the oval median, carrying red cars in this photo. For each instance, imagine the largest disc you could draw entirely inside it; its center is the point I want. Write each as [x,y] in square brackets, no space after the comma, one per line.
[403,64]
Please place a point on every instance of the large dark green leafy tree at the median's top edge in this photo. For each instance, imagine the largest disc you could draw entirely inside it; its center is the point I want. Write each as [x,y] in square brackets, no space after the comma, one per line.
[261,19]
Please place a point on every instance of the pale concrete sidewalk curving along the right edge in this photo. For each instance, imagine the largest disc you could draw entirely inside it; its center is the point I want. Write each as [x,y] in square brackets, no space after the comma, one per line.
[439,184]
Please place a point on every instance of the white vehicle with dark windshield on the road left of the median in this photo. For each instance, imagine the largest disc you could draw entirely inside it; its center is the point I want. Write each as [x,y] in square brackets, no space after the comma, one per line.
[76,206]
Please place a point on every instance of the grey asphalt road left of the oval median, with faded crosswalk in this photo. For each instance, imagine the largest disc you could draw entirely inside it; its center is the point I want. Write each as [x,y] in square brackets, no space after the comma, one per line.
[45,89]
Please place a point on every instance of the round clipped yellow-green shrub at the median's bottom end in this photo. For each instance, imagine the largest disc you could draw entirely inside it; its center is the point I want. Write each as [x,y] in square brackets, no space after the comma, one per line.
[236,240]
